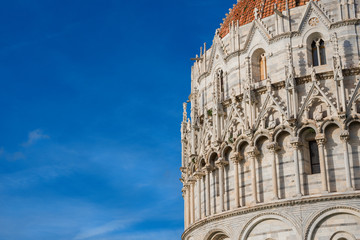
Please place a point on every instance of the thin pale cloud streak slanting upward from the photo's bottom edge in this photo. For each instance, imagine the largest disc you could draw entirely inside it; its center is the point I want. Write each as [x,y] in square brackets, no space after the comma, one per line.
[106,228]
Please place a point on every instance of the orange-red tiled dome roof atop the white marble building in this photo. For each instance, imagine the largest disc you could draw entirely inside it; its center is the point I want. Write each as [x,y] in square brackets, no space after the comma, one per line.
[243,11]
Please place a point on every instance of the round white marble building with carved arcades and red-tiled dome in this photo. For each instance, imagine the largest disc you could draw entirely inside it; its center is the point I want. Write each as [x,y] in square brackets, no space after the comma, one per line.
[271,150]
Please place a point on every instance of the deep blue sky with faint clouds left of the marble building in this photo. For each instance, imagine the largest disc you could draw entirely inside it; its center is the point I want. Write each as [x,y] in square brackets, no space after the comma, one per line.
[91,103]
